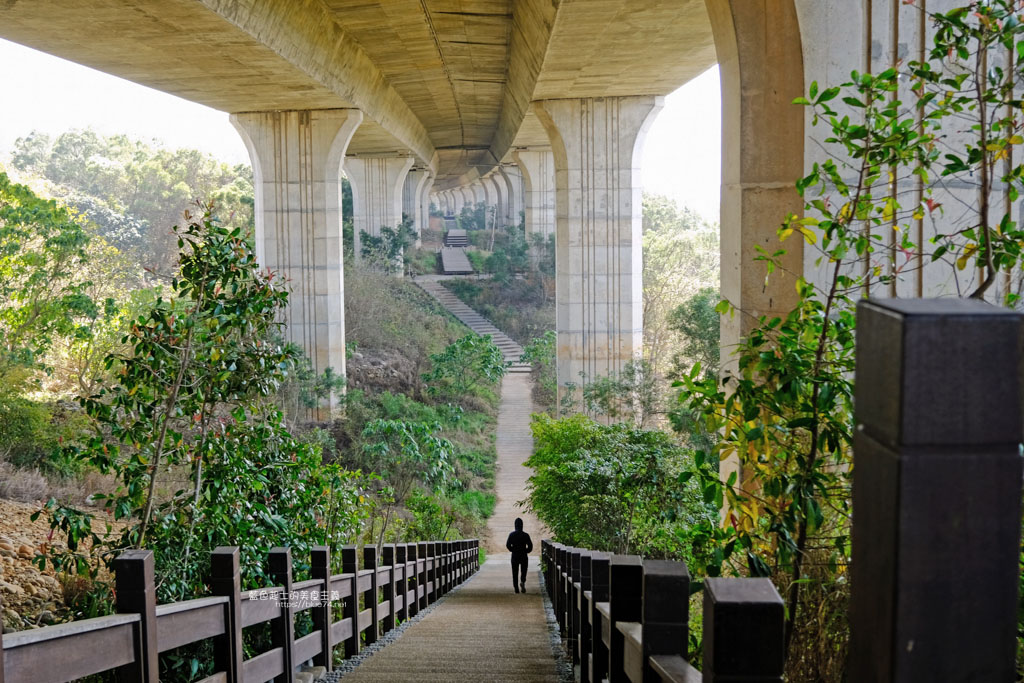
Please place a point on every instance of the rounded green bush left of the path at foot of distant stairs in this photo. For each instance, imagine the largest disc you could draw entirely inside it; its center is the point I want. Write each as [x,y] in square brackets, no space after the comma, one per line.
[465,367]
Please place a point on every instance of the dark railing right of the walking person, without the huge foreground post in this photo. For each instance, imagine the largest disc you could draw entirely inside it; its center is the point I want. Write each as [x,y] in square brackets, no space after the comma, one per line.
[625,619]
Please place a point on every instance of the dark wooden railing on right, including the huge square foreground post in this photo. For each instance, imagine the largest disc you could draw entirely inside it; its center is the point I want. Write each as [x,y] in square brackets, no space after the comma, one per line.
[936,528]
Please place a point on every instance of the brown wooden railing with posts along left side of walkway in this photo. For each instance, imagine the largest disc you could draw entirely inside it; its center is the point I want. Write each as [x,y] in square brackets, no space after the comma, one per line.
[397,586]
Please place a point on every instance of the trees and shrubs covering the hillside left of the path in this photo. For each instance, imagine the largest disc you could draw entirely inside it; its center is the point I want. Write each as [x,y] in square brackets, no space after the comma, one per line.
[164,410]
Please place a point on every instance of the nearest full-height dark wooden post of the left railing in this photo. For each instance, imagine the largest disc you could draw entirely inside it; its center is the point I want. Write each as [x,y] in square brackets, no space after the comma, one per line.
[137,593]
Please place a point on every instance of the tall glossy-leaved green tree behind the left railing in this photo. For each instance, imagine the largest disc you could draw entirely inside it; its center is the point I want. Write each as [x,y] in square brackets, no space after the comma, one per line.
[188,429]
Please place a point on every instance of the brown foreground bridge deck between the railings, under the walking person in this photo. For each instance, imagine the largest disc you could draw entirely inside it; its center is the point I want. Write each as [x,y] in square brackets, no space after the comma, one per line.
[483,632]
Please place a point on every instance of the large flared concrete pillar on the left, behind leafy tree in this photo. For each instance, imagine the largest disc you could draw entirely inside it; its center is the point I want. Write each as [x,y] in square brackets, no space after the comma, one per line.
[296,158]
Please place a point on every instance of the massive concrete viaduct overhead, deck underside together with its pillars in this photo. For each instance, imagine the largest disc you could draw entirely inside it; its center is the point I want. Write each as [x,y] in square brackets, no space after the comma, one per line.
[532,106]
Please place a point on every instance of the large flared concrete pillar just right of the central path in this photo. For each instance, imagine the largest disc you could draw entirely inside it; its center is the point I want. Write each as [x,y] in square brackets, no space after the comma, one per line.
[596,144]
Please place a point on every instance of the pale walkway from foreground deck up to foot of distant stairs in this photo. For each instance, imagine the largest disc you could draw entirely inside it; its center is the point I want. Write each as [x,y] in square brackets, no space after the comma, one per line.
[484,631]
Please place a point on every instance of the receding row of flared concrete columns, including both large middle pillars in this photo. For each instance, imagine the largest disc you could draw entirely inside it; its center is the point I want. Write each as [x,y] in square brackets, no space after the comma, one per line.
[584,190]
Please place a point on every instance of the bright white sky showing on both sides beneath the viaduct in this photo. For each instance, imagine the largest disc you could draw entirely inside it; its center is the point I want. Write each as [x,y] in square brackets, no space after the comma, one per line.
[682,156]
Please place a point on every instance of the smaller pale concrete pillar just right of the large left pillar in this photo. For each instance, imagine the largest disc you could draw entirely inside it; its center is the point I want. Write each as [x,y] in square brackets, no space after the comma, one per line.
[377,189]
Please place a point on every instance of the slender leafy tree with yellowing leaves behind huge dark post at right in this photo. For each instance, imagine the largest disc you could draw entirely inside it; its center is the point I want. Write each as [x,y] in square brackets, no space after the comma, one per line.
[785,415]
